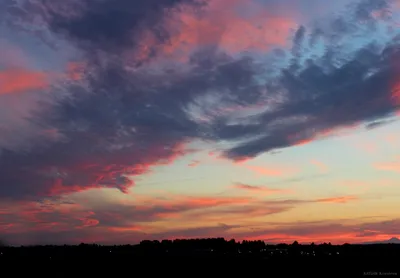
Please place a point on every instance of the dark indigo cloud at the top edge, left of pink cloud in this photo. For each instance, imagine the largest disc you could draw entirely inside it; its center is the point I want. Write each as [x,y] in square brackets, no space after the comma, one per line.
[107,25]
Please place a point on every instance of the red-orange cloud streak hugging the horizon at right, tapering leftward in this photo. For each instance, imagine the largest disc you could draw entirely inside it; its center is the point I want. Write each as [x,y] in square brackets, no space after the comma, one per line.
[302,231]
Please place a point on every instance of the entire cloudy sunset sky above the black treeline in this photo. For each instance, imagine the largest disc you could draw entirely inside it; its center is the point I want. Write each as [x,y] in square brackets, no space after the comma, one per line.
[270,120]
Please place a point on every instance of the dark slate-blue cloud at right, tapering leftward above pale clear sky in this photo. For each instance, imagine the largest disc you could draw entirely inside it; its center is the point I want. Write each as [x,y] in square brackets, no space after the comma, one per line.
[322,102]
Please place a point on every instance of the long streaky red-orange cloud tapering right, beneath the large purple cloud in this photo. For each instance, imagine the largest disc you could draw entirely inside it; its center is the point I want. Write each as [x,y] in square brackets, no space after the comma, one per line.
[143,218]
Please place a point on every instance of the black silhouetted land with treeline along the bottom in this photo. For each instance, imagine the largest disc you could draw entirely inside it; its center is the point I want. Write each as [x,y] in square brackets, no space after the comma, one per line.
[202,259]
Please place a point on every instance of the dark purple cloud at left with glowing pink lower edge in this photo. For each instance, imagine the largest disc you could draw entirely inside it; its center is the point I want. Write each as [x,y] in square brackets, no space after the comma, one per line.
[120,126]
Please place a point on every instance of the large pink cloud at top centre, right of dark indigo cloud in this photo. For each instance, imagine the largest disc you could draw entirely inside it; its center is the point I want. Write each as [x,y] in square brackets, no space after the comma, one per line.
[220,23]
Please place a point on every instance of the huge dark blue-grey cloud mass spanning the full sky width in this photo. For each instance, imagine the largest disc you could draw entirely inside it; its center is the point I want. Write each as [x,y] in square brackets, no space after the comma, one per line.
[128,117]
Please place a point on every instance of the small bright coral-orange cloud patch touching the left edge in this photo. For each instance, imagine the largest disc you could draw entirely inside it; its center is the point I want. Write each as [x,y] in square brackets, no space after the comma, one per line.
[20,80]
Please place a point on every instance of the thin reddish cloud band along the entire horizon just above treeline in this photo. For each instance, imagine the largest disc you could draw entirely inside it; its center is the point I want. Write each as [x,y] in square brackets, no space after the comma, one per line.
[335,231]
